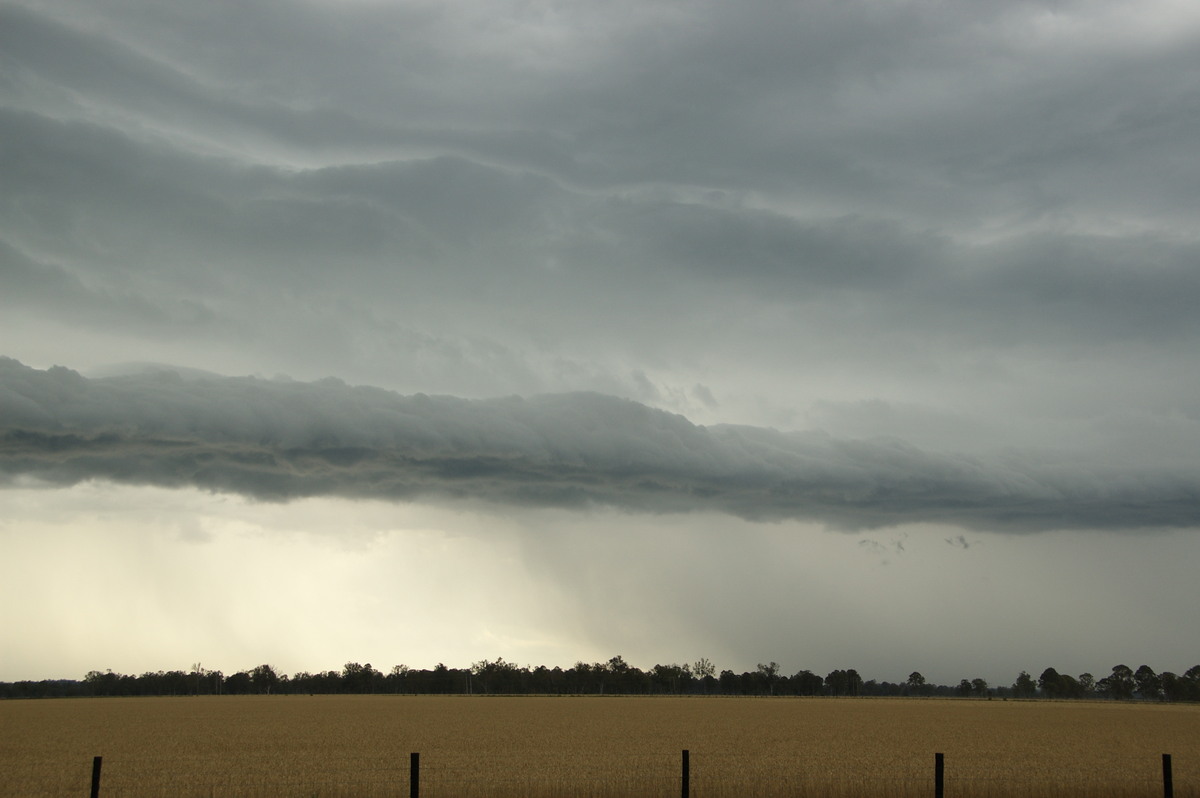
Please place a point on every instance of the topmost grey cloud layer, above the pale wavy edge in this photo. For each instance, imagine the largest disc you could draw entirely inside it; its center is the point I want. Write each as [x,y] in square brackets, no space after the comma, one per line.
[950,110]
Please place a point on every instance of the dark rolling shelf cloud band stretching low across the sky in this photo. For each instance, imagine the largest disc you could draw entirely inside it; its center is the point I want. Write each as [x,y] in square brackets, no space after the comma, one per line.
[278,441]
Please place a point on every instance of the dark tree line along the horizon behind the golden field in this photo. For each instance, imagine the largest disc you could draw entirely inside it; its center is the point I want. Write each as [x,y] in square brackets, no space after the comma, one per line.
[614,677]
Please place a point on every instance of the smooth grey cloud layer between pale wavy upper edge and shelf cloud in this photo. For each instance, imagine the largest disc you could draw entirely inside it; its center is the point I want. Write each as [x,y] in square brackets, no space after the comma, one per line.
[511,256]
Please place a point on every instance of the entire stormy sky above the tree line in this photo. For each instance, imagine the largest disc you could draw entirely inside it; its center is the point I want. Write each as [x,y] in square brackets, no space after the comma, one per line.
[849,334]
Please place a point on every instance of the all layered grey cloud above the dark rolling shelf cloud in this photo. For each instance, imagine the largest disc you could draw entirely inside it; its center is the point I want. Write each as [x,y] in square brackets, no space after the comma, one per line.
[983,211]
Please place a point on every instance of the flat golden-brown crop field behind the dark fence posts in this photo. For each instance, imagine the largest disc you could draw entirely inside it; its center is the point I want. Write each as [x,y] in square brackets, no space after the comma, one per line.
[359,746]
